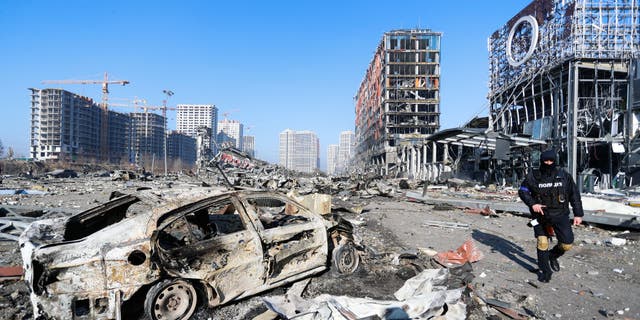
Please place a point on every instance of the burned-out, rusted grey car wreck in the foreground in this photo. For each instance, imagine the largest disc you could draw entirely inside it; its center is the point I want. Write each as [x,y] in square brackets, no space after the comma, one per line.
[164,252]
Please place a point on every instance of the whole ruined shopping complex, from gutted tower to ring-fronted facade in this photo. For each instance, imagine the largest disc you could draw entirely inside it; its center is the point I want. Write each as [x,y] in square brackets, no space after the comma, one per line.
[562,74]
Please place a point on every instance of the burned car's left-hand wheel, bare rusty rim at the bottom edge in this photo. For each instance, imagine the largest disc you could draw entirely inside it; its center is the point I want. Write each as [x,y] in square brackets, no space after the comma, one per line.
[171,299]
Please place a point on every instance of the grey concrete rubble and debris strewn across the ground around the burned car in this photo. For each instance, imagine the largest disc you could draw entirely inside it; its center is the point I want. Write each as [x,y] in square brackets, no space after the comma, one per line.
[356,197]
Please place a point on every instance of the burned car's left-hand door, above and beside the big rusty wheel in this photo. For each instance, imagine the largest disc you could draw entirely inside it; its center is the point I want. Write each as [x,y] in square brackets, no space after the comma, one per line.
[213,241]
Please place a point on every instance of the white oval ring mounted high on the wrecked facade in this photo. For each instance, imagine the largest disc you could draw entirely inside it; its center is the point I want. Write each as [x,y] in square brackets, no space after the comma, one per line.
[523,39]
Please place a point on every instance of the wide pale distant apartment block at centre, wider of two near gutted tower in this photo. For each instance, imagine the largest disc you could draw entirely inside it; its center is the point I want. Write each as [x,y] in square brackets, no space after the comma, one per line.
[299,151]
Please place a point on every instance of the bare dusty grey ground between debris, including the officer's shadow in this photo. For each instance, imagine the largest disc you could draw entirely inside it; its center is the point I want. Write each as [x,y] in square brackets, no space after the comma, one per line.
[597,280]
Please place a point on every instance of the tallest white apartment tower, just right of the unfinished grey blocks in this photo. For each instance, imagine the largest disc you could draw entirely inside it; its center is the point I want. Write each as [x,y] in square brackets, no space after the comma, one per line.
[191,118]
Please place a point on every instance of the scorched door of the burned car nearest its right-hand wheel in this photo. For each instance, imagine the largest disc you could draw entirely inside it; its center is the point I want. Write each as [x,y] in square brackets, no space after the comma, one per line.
[294,239]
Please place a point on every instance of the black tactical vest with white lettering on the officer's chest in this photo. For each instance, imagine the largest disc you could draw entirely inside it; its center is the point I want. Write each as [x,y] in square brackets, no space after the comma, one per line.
[552,192]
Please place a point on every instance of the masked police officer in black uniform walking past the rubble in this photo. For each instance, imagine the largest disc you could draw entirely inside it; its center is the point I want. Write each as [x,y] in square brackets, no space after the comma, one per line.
[548,192]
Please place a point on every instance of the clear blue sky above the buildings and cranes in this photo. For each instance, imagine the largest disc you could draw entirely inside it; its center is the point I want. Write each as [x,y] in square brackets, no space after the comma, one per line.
[272,65]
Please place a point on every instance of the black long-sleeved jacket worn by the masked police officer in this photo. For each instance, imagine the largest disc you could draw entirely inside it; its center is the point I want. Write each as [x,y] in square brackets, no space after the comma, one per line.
[554,189]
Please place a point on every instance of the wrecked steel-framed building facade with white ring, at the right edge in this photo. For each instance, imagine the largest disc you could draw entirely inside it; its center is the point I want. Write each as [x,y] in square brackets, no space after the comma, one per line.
[566,72]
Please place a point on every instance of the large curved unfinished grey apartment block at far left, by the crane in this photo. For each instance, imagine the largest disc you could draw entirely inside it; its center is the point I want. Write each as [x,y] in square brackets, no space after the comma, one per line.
[67,126]
